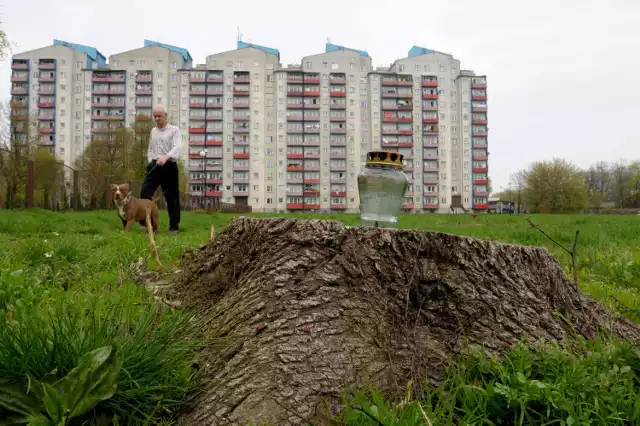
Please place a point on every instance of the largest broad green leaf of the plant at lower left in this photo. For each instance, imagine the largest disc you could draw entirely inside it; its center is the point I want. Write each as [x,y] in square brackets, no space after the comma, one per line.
[92,381]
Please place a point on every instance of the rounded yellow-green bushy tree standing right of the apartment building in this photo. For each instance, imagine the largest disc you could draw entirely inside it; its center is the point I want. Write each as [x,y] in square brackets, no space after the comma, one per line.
[556,186]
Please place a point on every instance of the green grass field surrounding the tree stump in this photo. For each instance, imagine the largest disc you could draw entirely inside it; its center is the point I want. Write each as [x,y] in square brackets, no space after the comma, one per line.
[65,289]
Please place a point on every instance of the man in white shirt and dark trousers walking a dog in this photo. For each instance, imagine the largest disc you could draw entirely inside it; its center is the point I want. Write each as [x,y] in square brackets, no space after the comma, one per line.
[165,147]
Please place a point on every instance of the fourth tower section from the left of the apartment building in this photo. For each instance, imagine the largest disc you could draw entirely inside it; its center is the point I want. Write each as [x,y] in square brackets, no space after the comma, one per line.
[322,124]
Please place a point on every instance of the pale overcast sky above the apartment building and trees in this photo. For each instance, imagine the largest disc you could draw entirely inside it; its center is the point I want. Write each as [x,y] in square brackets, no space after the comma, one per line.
[562,75]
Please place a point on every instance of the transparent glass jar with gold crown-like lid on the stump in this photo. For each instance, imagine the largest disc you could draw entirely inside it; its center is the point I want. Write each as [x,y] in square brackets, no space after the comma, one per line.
[382,186]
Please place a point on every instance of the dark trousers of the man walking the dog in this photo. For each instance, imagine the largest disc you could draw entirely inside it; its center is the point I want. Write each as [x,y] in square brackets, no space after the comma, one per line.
[167,177]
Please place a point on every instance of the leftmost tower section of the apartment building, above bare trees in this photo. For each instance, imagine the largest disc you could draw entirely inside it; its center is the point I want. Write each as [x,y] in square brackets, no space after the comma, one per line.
[47,86]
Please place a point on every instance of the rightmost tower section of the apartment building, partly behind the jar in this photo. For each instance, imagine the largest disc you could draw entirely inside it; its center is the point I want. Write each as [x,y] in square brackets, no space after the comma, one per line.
[422,107]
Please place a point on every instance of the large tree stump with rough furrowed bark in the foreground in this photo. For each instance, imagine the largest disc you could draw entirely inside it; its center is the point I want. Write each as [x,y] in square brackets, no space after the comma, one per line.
[304,309]
